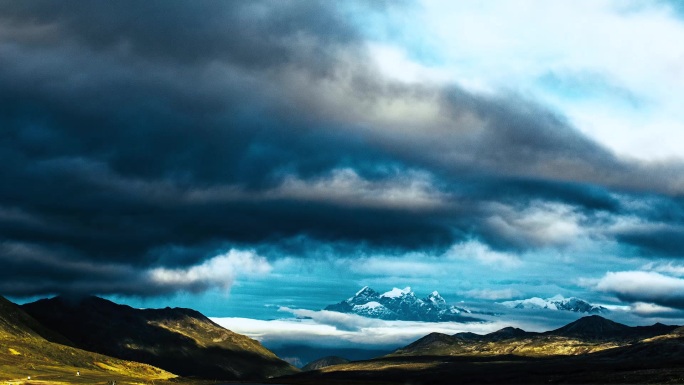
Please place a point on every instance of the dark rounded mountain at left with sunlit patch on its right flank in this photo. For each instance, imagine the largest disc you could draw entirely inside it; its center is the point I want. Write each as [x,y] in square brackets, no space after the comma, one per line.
[182,341]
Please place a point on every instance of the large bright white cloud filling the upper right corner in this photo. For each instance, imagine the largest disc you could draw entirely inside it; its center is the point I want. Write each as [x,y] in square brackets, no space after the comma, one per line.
[494,45]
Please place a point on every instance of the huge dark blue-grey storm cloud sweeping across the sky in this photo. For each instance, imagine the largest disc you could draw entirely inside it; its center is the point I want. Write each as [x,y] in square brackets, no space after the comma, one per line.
[137,136]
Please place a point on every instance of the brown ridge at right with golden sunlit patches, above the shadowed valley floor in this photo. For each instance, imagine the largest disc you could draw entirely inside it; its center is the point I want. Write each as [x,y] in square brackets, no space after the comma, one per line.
[586,335]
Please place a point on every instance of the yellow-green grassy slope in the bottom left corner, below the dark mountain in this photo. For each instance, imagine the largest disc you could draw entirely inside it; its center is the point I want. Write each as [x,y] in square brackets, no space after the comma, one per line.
[24,352]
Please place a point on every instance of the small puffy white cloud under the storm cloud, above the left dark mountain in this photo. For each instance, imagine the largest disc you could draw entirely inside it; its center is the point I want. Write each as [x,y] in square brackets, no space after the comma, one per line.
[219,271]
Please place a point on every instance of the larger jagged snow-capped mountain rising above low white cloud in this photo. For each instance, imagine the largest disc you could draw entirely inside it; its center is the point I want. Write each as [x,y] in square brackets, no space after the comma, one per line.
[402,304]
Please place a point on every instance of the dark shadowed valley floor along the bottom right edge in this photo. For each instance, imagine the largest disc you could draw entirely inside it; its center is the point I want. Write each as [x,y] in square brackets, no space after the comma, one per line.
[495,370]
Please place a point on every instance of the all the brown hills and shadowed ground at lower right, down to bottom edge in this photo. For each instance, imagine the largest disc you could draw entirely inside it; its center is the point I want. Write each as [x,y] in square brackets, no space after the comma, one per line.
[591,350]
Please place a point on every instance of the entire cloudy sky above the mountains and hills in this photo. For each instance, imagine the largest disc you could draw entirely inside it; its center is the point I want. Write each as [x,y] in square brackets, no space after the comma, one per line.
[256,160]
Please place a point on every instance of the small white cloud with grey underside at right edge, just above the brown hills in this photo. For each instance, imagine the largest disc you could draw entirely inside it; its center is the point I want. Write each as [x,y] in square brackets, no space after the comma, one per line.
[644,287]
